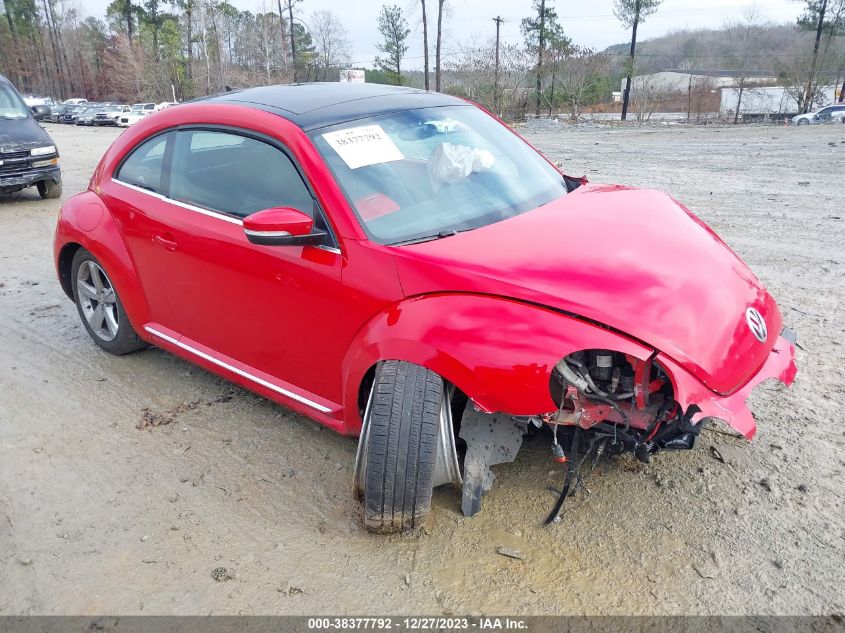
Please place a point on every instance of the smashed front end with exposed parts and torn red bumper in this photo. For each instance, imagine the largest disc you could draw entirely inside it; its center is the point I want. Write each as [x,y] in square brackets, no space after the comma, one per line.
[613,403]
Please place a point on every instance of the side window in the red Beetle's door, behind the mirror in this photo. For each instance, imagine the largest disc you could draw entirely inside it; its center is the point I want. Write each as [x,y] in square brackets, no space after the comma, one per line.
[234,174]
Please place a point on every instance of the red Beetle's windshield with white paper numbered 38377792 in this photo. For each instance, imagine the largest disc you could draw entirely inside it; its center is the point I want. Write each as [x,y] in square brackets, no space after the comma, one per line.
[423,174]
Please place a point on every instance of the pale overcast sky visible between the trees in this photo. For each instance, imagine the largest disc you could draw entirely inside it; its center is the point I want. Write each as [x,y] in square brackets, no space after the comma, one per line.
[587,23]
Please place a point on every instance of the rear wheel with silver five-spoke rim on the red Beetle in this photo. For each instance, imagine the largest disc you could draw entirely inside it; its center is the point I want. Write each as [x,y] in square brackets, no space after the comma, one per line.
[93,290]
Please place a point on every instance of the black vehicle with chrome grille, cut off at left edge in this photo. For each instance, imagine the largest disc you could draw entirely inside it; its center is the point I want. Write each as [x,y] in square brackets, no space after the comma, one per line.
[28,156]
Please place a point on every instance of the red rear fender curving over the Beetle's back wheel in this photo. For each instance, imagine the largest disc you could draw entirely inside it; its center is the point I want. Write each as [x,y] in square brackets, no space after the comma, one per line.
[85,221]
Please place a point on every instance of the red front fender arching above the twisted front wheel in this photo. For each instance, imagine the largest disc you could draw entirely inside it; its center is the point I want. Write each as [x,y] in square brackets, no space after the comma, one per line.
[498,351]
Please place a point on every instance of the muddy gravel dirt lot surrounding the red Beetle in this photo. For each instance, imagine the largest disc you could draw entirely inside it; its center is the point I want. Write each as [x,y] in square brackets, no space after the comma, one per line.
[97,516]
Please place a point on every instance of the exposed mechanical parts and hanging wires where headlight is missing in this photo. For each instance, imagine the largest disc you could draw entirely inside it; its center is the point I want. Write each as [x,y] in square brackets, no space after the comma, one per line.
[608,402]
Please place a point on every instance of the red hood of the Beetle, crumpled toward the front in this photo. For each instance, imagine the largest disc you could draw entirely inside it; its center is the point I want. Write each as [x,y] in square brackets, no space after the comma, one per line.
[634,260]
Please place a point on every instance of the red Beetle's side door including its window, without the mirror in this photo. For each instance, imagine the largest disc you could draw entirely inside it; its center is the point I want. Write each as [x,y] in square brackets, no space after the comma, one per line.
[274,309]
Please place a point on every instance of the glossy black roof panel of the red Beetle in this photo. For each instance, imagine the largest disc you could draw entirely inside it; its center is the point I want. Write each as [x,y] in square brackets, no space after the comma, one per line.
[316,105]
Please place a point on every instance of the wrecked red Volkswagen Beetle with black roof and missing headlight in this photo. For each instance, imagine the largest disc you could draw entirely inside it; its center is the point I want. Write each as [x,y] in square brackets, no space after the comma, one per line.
[400,266]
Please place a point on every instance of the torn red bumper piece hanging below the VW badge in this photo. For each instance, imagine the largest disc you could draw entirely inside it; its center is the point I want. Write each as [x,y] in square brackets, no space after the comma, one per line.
[780,364]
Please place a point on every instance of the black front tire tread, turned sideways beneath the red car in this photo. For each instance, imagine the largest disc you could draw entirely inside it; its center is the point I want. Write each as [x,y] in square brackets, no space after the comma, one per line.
[401,432]
